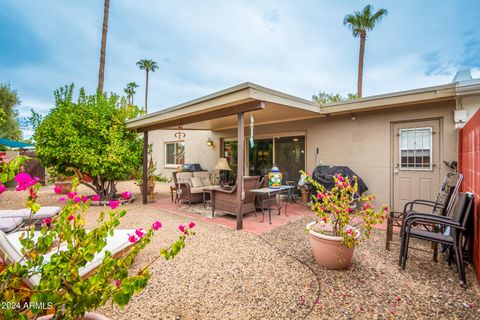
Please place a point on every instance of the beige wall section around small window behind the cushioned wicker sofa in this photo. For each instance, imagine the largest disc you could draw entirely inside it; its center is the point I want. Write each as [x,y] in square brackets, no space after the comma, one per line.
[196,149]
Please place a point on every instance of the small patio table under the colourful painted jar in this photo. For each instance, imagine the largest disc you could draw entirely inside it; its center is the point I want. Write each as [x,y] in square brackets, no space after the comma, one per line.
[269,198]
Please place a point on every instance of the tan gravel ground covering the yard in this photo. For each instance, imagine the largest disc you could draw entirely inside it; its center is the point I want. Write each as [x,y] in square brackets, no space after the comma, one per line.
[226,274]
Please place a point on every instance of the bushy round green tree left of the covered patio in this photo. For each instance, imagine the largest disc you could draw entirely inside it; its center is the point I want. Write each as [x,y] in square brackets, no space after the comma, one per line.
[90,137]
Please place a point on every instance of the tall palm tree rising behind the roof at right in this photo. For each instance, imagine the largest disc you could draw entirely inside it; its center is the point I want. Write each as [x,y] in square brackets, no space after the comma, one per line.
[360,23]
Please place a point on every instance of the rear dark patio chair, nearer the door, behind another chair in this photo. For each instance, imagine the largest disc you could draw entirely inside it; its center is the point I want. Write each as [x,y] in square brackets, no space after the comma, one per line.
[441,206]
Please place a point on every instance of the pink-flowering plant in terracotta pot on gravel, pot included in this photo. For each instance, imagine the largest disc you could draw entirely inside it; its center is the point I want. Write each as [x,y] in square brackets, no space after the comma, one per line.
[344,219]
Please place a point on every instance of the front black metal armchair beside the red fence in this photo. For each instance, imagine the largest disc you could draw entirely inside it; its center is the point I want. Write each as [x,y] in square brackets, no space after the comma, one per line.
[454,226]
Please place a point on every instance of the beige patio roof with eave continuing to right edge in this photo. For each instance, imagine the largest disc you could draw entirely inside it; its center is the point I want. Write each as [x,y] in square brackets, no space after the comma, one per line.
[217,111]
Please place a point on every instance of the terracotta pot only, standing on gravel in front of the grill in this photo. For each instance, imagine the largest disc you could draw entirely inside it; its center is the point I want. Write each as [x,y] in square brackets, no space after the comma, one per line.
[328,251]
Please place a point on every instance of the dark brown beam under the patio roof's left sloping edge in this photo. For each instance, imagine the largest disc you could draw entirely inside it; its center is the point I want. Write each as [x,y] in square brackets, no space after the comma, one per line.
[209,115]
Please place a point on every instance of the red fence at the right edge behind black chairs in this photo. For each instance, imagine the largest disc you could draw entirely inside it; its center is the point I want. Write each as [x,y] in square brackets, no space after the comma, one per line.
[469,165]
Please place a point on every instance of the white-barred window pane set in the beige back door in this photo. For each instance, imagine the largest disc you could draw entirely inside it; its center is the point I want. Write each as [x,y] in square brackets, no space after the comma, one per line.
[416,149]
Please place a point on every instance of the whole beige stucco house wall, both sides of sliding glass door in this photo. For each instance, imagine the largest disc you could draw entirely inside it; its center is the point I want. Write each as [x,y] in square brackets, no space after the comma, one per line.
[363,144]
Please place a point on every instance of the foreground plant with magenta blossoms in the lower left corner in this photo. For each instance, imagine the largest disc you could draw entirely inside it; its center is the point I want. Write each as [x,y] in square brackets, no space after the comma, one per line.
[60,292]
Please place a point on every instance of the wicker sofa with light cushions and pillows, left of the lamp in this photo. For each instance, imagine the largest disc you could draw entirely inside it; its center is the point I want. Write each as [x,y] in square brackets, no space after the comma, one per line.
[189,185]
